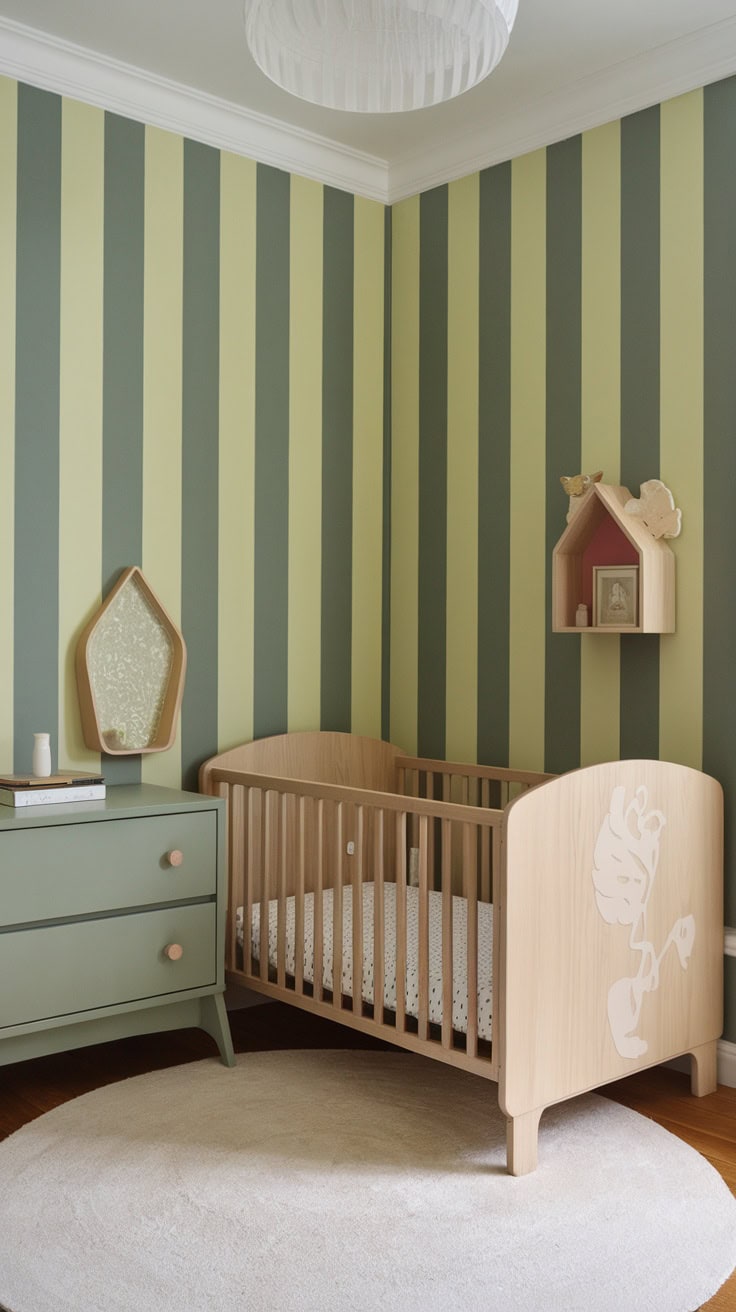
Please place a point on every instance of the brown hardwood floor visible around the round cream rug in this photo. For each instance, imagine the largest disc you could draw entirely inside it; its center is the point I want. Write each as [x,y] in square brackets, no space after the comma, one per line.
[31,1088]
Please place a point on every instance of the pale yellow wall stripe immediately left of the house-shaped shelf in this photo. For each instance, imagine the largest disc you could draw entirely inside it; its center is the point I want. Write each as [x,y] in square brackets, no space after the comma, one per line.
[528,464]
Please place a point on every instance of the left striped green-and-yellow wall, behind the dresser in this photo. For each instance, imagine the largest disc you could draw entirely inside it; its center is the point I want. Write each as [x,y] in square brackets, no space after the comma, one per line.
[191,380]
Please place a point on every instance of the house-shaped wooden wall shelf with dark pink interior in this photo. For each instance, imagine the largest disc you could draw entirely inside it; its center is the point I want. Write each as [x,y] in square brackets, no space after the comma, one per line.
[603,533]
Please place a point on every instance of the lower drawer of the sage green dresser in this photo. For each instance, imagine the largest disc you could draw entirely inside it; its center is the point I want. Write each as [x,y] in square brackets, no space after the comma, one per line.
[61,970]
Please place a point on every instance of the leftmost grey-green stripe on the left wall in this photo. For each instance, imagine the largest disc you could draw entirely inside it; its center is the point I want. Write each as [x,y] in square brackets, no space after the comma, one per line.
[37,422]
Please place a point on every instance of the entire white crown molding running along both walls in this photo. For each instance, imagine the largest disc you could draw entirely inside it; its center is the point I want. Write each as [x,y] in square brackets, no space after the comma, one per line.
[671,70]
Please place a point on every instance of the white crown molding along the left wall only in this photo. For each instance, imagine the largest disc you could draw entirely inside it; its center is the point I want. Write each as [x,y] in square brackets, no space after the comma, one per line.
[43,61]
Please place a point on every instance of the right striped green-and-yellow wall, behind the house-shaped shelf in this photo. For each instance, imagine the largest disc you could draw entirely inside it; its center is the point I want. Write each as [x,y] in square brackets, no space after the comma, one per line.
[570,312]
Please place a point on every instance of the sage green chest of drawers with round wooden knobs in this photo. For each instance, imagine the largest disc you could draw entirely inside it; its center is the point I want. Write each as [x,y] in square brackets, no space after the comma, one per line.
[112,920]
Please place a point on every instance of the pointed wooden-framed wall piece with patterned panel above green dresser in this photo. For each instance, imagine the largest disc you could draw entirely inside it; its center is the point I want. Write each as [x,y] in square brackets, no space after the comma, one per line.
[131,666]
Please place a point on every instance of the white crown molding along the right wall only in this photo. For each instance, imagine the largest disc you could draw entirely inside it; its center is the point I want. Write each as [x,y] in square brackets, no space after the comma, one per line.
[647,79]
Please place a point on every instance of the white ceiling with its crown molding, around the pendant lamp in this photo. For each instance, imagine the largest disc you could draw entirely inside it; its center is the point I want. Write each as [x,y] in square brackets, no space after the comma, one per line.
[184,65]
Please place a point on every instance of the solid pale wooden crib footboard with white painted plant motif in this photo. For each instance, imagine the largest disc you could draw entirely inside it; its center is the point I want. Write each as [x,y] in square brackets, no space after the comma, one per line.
[611,910]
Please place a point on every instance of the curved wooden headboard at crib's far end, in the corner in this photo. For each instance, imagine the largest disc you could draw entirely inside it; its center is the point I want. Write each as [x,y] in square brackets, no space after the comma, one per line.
[322,756]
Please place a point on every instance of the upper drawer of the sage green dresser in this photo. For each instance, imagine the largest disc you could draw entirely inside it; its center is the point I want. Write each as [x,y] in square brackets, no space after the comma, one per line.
[87,868]
